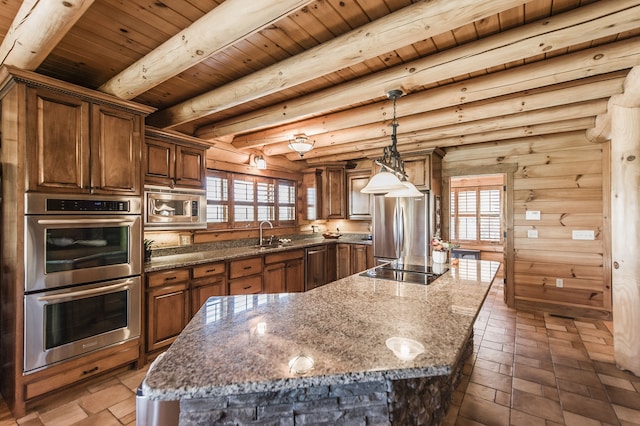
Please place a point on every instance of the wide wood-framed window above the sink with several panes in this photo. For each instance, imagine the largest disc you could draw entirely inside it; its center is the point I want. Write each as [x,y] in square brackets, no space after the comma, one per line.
[243,201]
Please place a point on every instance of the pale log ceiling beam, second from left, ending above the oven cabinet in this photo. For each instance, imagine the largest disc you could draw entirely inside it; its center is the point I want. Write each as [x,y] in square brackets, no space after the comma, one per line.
[215,31]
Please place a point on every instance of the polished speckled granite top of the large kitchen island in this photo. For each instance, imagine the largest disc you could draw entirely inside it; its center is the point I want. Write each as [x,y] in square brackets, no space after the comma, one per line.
[244,344]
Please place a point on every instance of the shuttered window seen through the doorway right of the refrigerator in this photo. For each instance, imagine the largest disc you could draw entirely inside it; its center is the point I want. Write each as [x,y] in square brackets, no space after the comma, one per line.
[476,209]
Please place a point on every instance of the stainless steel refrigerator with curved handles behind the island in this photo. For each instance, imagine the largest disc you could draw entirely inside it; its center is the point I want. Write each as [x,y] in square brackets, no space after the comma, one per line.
[401,229]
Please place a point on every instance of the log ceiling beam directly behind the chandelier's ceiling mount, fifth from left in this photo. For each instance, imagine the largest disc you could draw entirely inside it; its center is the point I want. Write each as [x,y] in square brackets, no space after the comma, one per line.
[575,66]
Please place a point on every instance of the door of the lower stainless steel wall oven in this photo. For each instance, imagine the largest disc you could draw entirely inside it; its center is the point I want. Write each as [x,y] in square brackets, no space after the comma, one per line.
[65,323]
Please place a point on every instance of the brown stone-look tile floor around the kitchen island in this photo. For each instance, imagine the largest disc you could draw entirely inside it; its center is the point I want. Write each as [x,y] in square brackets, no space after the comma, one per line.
[528,368]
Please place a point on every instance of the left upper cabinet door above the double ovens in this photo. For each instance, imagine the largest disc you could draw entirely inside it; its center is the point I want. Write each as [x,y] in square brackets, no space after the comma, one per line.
[57,132]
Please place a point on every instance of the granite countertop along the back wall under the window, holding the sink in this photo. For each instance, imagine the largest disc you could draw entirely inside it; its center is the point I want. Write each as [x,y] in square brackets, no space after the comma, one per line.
[159,263]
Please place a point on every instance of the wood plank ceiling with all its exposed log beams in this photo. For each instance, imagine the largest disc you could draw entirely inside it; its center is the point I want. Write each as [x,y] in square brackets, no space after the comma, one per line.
[247,75]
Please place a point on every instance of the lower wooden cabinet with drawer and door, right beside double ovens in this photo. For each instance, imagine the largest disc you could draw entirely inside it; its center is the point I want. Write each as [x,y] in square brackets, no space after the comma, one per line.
[167,306]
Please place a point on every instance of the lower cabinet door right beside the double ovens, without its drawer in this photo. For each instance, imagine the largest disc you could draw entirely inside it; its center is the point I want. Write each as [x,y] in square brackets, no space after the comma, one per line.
[167,314]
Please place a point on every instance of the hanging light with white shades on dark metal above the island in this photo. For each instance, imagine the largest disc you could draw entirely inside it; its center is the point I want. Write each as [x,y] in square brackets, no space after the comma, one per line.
[391,180]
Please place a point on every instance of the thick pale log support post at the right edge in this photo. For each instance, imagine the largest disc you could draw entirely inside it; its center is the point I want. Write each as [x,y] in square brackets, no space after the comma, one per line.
[625,231]
